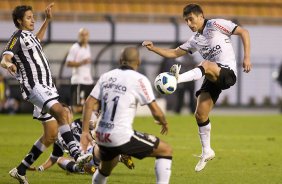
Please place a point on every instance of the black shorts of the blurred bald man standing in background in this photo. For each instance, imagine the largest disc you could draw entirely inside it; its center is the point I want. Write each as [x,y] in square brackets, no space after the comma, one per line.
[79,93]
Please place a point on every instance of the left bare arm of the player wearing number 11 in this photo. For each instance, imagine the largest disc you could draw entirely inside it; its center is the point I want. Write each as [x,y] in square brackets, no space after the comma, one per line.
[91,105]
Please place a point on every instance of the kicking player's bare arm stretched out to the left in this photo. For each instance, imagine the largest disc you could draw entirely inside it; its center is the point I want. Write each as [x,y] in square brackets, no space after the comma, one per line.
[168,53]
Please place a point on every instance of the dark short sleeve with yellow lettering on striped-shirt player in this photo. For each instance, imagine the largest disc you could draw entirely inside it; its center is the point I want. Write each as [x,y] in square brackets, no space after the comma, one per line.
[13,46]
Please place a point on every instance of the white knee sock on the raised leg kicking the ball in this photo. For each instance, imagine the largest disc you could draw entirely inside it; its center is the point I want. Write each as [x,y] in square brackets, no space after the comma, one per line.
[192,75]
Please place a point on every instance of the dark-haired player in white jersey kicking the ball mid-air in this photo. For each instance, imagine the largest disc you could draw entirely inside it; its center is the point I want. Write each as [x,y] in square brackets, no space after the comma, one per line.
[212,41]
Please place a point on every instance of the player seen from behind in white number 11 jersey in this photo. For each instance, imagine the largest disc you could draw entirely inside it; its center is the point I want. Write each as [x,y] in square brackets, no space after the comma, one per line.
[117,93]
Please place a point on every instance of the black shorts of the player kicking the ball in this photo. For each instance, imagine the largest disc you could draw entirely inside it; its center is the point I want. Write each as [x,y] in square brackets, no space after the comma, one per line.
[227,78]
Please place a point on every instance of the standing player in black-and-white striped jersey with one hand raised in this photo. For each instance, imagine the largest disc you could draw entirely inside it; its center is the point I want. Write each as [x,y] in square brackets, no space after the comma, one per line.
[23,57]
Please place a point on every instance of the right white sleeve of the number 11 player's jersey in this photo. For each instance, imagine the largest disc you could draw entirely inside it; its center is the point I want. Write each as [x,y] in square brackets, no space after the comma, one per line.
[145,94]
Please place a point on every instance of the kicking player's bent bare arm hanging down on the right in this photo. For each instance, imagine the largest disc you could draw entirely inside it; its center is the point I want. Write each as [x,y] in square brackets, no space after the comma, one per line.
[245,37]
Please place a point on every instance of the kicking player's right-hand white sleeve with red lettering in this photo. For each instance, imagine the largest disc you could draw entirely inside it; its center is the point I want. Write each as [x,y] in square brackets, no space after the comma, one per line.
[224,26]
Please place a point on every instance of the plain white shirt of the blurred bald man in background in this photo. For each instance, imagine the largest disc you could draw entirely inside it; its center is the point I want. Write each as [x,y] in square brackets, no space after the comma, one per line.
[81,74]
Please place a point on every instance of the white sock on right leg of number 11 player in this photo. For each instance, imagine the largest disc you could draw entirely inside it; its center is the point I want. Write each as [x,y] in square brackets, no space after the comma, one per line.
[163,169]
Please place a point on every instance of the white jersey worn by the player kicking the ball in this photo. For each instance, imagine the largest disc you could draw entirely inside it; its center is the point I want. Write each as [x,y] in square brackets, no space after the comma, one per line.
[214,44]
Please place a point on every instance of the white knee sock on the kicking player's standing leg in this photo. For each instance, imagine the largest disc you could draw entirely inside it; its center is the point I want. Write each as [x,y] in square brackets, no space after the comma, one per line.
[204,133]
